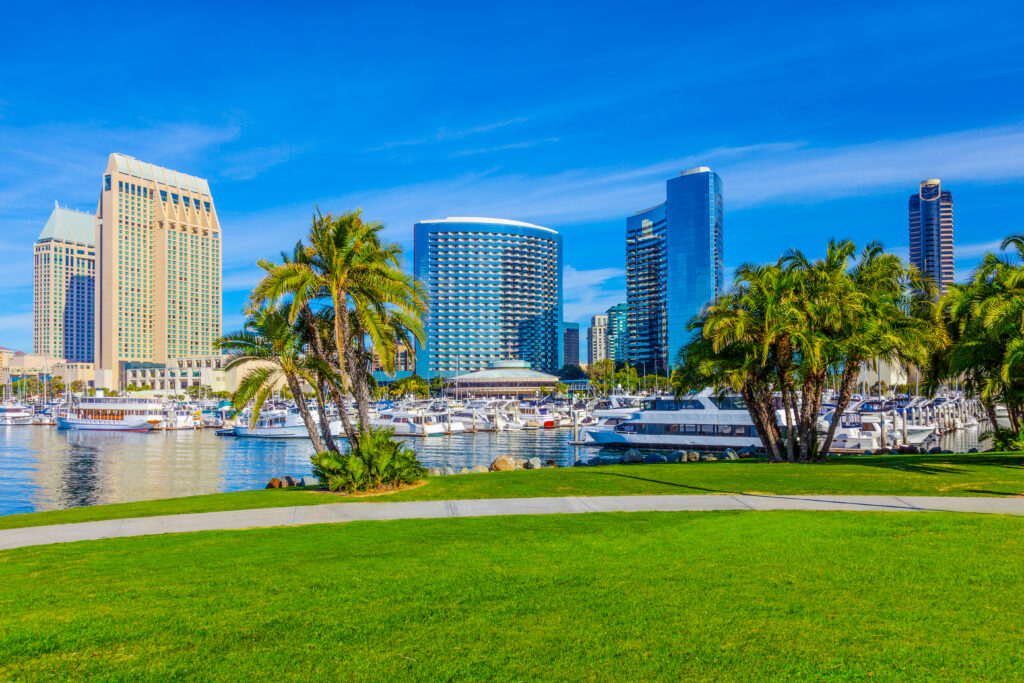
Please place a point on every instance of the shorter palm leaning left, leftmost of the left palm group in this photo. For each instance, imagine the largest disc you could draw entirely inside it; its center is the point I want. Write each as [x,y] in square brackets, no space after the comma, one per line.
[276,346]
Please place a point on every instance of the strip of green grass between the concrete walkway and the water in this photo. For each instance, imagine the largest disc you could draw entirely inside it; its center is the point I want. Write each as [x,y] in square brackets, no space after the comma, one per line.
[977,475]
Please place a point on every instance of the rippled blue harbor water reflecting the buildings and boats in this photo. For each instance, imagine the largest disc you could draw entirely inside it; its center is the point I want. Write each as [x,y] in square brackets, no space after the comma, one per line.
[42,468]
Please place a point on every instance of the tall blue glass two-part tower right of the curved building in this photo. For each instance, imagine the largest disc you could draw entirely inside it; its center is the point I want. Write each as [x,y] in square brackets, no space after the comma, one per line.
[673,267]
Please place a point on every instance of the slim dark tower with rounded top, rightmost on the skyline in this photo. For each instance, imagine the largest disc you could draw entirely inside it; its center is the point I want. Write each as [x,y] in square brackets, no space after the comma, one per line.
[932,233]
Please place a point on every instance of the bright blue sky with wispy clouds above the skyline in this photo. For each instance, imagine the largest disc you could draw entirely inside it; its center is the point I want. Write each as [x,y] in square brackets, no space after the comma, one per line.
[822,121]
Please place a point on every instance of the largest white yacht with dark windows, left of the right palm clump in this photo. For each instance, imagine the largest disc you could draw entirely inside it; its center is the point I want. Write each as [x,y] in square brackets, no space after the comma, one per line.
[702,421]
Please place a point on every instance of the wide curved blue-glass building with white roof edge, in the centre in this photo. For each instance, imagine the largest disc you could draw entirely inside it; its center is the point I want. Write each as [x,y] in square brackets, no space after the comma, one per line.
[495,291]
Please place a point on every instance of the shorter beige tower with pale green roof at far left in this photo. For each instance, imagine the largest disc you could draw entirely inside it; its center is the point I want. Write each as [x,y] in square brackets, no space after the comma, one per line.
[64,287]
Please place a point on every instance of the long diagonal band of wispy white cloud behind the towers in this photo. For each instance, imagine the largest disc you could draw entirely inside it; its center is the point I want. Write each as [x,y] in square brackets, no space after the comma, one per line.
[754,176]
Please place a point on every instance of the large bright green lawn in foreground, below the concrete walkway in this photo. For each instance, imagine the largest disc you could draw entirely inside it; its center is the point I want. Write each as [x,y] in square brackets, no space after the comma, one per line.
[738,596]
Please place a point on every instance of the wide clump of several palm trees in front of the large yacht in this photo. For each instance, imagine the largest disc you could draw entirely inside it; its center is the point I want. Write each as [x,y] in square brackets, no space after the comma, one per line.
[788,327]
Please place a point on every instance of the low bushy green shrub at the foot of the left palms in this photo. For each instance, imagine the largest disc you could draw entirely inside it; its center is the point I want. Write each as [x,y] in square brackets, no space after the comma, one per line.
[375,463]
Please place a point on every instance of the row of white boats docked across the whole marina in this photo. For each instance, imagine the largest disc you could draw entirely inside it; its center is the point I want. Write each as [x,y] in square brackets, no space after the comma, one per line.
[702,421]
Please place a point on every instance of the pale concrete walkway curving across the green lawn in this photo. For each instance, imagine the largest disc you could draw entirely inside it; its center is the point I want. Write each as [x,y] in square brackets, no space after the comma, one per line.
[348,513]
